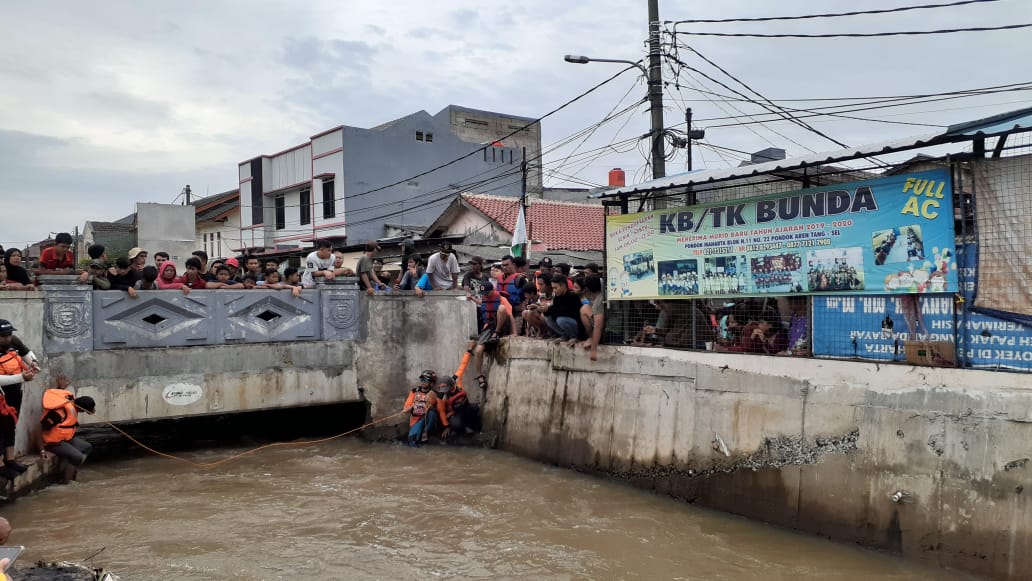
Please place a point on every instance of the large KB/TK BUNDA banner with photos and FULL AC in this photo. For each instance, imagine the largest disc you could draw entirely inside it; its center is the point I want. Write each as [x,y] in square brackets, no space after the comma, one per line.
[879,237]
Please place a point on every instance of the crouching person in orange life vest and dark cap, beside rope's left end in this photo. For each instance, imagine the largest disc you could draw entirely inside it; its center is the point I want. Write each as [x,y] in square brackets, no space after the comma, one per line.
[60,421]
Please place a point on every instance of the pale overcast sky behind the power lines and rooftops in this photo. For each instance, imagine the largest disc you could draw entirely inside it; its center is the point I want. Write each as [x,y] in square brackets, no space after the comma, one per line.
[109,104]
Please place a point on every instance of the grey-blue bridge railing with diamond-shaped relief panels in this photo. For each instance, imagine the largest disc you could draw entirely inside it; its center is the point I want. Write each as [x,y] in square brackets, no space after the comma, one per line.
[79,319]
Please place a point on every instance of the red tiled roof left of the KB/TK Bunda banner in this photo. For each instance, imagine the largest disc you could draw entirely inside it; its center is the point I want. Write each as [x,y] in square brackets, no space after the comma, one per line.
[559,225]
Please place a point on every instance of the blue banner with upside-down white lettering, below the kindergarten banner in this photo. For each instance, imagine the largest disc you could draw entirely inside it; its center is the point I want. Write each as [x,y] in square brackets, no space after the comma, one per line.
[880,328]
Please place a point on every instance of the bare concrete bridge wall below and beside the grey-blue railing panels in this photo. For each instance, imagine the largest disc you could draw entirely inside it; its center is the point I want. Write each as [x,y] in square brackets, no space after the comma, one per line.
[404,336]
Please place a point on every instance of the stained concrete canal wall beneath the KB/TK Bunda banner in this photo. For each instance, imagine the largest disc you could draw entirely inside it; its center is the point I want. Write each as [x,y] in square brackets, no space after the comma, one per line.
[813,445]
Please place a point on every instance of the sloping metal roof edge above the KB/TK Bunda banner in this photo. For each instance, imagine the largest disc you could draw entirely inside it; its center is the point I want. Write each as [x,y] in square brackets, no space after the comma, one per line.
[1017,121]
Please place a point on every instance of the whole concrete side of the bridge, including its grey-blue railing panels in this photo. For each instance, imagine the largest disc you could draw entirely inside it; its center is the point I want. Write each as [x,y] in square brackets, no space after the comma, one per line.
[141,372]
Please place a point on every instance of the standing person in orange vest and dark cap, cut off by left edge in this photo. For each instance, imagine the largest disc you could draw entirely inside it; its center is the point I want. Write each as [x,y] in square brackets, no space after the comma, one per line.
[18,365]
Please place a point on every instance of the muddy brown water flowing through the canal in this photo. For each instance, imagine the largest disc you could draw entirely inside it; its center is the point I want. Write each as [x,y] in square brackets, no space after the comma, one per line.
[353,510]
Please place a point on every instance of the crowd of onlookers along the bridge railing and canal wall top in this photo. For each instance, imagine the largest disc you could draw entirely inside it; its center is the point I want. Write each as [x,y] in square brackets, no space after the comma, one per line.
[512,297]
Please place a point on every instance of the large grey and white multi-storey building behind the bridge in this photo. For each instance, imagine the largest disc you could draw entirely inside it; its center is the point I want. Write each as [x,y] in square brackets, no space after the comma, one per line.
[347,183]
